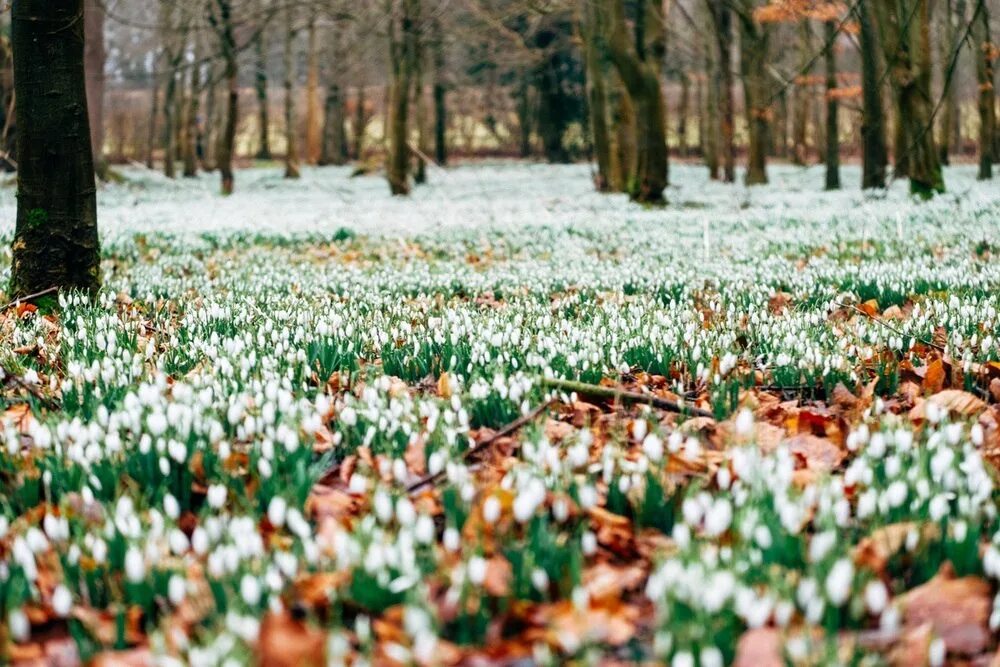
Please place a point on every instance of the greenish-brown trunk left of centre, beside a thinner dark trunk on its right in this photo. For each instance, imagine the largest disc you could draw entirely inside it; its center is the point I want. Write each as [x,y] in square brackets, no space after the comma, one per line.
[403,45]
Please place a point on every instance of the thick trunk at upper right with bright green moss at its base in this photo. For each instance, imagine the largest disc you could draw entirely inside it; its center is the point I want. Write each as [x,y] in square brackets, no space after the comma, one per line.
[905,34]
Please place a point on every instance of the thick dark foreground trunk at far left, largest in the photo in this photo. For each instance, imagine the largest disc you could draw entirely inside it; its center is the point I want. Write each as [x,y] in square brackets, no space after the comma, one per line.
[55,239]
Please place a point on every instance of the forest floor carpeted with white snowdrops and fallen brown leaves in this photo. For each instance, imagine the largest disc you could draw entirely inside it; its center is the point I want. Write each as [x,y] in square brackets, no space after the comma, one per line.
[509,421]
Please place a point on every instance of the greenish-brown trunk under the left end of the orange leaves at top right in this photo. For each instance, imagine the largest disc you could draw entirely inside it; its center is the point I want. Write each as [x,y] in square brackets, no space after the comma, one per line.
[756,91]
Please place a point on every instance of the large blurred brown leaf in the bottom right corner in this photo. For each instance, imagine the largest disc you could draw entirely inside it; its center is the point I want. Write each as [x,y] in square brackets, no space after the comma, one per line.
[958,610]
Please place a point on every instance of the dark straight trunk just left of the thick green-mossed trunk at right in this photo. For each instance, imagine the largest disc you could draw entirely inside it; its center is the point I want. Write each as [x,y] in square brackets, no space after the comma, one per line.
[874,155]
